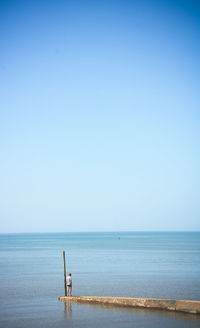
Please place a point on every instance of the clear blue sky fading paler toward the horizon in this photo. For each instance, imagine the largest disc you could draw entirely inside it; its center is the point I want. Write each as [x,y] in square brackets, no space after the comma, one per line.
[99,115]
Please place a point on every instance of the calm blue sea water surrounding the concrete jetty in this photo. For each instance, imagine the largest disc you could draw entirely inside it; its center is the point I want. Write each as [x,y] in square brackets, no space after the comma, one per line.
[140,264]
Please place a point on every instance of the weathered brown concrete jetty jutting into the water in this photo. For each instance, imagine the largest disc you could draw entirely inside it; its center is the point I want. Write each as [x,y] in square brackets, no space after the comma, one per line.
[151,303]
